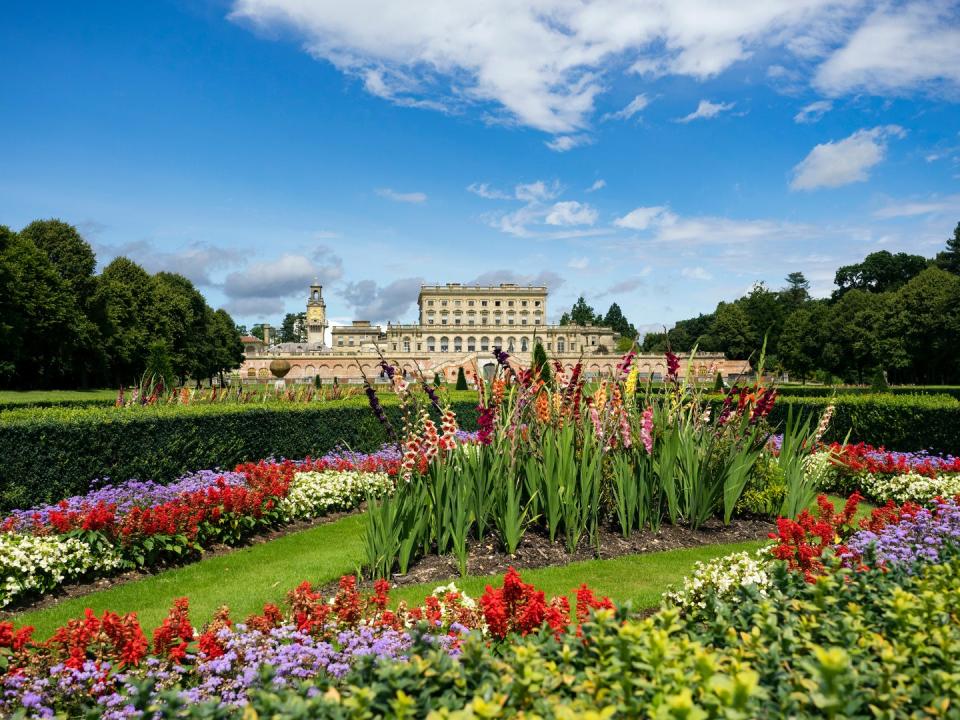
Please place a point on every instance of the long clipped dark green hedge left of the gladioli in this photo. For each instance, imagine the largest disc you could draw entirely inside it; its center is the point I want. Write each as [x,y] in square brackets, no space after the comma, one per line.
[56,453]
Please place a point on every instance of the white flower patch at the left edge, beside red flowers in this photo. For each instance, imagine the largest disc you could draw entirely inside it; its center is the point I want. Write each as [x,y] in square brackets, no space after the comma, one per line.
[38,564]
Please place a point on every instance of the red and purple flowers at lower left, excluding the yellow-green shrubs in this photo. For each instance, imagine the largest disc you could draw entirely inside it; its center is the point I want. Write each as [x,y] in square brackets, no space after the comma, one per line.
[100,662]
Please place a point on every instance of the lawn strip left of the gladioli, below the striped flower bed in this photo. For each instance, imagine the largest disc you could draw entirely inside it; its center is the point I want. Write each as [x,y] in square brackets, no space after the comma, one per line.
[244,579]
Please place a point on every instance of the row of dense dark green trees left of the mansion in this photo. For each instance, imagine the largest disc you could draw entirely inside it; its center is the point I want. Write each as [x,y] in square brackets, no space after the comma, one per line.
[62,325]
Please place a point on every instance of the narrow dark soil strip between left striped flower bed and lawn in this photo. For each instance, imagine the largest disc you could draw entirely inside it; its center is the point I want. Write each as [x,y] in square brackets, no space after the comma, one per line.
[66,592]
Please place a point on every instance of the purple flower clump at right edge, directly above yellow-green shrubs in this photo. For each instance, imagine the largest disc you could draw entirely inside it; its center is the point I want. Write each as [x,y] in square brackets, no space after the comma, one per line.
[919,538]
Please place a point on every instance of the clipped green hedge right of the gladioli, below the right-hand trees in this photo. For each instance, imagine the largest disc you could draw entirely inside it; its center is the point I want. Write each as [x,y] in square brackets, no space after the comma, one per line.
[897,422]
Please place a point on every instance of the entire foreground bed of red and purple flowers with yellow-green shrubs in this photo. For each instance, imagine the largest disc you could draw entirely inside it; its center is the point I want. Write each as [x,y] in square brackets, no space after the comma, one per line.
[884,643]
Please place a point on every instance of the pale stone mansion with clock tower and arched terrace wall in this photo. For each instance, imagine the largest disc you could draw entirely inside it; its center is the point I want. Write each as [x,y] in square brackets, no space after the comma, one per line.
[458,326]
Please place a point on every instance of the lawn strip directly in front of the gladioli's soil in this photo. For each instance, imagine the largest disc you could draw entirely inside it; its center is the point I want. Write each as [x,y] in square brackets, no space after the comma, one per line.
[641,579]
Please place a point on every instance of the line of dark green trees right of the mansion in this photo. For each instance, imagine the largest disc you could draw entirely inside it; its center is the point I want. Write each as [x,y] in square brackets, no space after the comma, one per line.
[891,314]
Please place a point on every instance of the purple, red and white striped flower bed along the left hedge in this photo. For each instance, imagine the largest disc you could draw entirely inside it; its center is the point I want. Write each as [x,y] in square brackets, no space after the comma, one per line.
[142,524]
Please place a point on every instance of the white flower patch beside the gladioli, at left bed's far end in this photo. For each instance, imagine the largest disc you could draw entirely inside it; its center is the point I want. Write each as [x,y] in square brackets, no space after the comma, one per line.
[314,493]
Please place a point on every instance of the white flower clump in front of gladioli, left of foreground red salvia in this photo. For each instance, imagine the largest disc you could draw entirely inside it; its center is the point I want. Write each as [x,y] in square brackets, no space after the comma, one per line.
[724,575]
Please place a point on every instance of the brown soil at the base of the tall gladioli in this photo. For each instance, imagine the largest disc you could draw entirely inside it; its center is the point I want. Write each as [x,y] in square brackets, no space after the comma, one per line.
[536,550]
